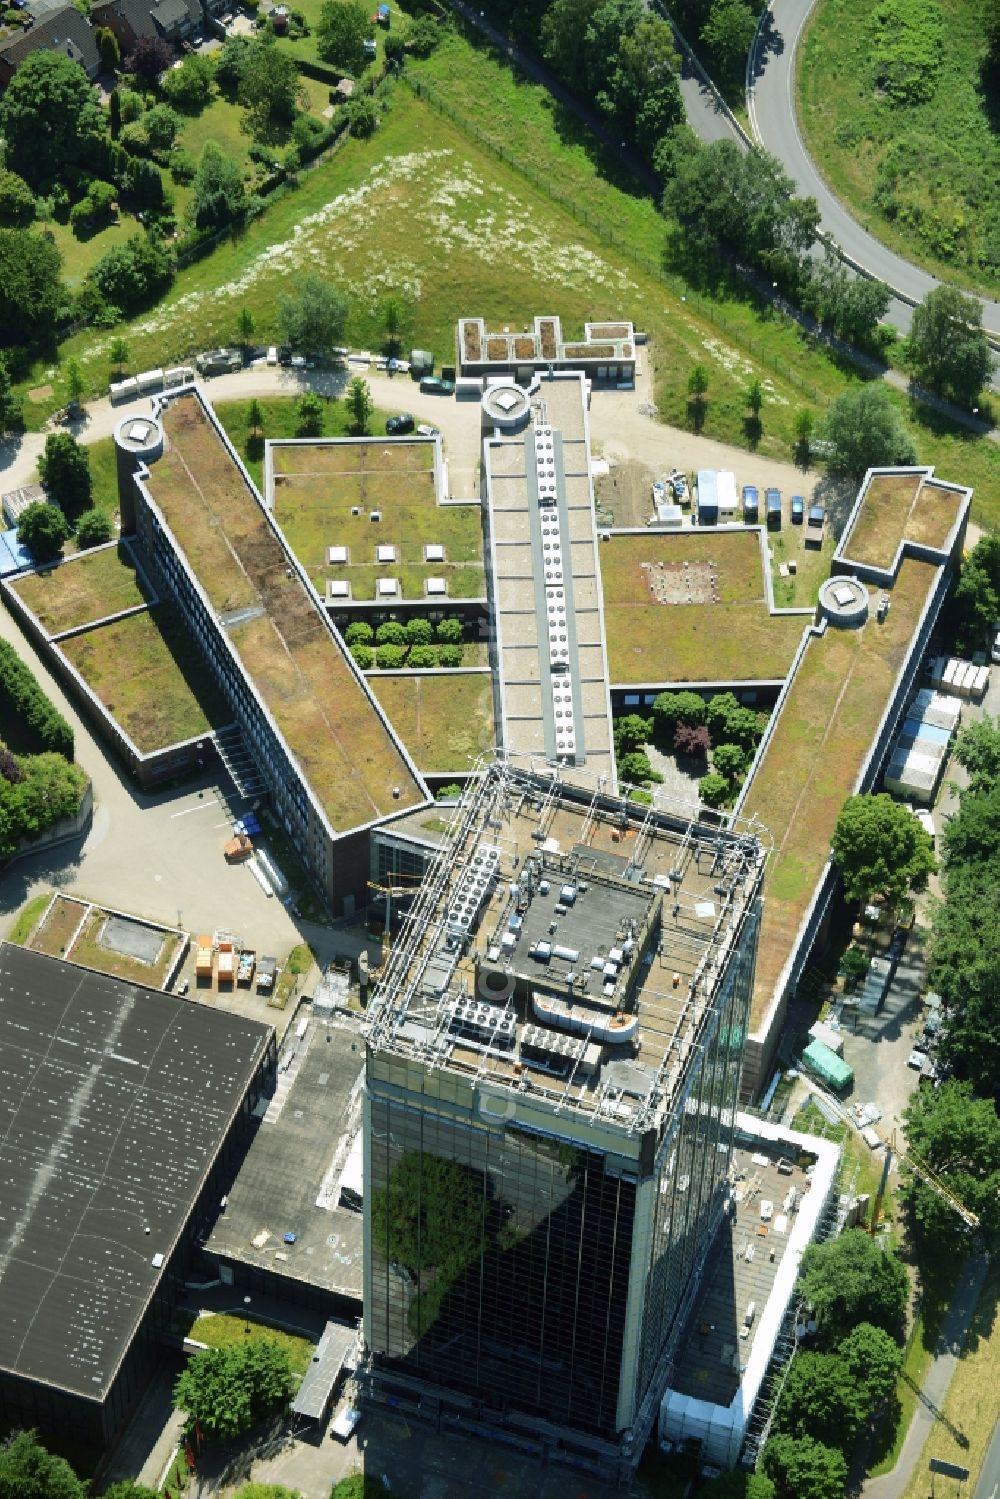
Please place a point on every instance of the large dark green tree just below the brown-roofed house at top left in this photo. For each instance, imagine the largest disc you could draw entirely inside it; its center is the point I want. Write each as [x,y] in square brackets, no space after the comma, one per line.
[50,116]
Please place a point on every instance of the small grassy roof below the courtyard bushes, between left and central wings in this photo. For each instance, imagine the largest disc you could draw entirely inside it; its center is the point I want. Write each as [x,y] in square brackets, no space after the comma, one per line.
[445,722]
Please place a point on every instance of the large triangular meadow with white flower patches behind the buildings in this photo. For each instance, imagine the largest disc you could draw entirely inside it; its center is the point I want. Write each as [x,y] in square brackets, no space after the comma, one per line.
[424,212]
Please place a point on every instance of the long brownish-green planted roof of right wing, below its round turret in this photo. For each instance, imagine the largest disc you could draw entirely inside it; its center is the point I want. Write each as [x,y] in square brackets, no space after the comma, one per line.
[813,759]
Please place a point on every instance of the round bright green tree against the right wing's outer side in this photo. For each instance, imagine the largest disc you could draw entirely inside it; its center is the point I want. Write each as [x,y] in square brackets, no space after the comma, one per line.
[881,849]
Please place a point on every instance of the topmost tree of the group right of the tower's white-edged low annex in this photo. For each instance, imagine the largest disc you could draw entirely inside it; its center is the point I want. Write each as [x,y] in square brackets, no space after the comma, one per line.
[852,1279]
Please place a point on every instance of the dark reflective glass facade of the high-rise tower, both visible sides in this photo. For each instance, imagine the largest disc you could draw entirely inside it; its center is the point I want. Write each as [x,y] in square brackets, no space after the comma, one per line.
[533,1266]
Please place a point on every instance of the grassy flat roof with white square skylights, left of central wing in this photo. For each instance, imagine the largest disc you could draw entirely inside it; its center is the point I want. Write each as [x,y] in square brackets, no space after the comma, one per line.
[317,491]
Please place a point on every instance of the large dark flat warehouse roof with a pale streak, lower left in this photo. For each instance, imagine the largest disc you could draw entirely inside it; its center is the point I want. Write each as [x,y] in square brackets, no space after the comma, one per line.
[115,1103]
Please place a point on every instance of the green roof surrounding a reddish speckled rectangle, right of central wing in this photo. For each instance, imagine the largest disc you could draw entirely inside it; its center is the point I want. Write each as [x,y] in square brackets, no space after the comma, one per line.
[732,639]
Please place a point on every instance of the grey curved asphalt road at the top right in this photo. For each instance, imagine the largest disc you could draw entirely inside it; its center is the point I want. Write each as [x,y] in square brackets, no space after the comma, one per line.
[773,119]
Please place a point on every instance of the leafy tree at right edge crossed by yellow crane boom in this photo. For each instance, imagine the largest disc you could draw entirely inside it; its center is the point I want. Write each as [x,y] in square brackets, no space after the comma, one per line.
[959,1137]
